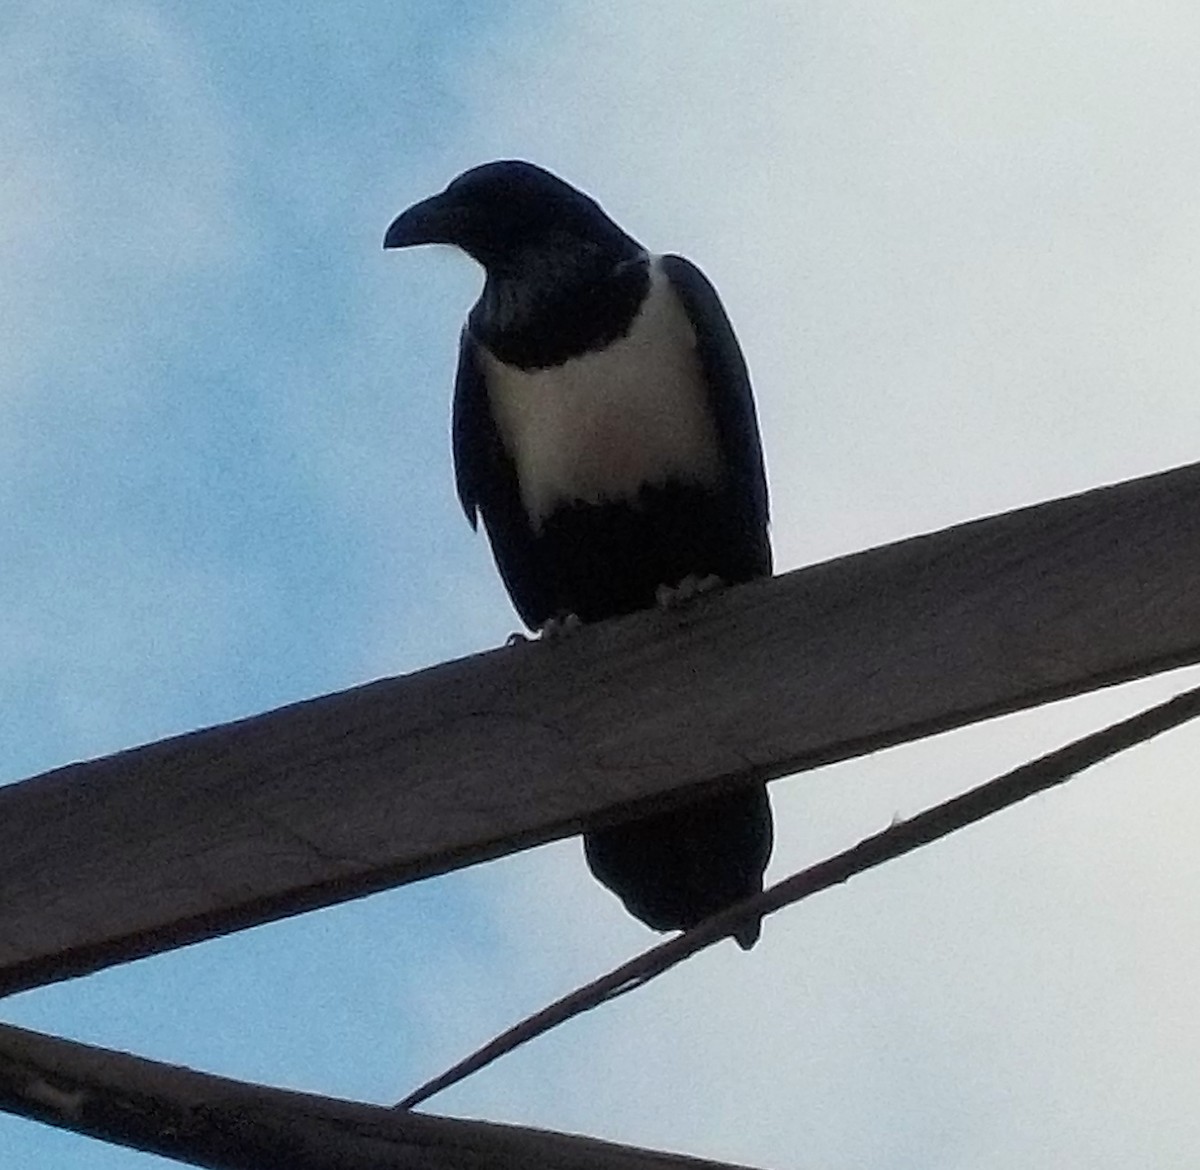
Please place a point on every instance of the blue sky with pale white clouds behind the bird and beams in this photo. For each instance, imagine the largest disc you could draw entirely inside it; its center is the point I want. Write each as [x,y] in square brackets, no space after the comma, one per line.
[959,243]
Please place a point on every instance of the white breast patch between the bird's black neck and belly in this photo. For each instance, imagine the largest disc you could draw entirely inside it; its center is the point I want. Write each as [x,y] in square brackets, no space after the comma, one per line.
[602,427]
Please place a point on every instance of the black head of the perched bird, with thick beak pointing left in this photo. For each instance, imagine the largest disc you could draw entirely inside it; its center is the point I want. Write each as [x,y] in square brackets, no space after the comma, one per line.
[507,213]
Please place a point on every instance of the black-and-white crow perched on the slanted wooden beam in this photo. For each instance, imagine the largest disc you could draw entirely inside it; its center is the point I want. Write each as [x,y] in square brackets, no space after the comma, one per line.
[605,431]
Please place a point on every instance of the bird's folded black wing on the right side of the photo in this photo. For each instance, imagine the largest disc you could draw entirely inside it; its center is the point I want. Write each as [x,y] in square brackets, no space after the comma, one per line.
[730,400]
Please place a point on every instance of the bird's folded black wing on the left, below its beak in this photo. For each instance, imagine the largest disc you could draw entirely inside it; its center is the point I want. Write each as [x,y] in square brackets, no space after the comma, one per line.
[488,487]
